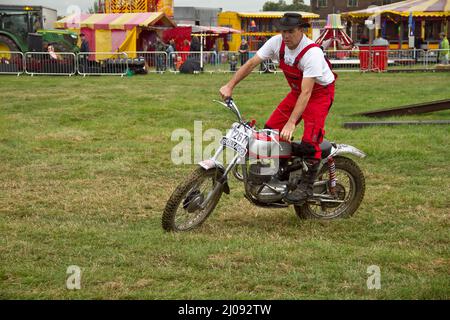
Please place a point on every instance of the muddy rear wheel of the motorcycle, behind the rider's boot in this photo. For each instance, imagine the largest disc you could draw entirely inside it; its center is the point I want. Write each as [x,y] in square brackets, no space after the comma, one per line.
[350,189]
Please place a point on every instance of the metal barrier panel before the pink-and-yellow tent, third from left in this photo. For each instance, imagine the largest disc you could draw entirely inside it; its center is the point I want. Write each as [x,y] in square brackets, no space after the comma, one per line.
[103,63]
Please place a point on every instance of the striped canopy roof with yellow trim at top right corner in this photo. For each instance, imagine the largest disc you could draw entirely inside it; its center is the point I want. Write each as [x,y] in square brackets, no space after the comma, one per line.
[418,8]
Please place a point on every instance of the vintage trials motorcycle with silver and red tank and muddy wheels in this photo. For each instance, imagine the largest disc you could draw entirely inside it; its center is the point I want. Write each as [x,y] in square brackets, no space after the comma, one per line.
[269,169]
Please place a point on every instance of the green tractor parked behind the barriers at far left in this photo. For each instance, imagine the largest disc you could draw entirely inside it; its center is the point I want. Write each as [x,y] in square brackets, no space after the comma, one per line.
[24,29]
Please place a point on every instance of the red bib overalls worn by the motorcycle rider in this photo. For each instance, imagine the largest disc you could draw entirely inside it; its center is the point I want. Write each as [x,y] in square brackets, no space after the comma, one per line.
[316,110]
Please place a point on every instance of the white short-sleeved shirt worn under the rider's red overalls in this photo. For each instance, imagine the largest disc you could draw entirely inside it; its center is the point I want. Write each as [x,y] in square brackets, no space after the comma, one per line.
[313,64]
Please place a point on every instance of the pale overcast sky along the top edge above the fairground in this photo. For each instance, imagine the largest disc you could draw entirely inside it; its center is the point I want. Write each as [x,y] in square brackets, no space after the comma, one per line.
[66,6]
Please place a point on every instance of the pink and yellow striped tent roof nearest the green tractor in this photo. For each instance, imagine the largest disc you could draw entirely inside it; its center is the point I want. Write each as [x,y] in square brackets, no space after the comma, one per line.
[120,21]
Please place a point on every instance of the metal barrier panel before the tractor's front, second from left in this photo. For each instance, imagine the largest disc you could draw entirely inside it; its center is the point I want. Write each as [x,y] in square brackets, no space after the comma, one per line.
[46,63]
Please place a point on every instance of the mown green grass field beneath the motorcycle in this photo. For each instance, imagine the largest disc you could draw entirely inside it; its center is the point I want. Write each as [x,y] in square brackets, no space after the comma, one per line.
[85,172]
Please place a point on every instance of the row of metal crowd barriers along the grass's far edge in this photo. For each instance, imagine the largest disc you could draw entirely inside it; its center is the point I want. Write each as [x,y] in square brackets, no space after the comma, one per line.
[120,63]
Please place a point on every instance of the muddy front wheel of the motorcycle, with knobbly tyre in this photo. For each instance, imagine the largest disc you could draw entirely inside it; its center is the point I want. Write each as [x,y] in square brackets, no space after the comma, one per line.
[186,209]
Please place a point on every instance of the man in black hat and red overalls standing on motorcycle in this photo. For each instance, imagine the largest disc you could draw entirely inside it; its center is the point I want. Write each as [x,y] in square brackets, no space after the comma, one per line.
[312,81]
